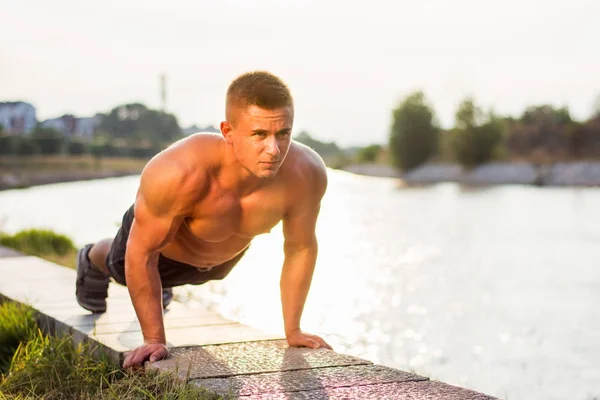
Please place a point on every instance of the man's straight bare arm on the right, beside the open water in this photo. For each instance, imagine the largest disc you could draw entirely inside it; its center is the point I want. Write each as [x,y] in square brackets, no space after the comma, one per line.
[300,249]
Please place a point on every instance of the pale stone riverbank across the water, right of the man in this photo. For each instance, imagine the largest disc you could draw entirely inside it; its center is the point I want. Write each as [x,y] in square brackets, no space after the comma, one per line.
[585,173]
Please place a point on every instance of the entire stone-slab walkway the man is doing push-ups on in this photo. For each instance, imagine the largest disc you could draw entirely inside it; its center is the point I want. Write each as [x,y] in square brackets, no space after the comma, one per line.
[224,356]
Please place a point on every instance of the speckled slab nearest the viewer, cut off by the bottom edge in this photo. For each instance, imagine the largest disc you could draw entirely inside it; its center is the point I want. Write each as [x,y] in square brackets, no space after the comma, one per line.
[420,390]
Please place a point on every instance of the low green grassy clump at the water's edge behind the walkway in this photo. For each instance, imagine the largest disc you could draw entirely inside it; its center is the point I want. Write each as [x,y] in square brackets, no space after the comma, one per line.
[38,242]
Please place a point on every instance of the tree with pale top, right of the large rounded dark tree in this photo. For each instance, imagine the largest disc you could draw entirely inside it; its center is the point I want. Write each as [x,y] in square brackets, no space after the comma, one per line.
[476,136]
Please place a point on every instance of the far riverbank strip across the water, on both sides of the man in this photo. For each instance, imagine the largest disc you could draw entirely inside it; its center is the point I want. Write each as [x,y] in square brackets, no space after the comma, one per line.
[559,174]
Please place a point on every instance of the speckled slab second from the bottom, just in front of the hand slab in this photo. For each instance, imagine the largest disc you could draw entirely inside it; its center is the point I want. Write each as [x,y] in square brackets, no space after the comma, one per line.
[306,379]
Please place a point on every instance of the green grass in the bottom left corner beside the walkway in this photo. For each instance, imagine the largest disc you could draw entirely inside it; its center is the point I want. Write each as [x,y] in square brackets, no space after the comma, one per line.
[38,366]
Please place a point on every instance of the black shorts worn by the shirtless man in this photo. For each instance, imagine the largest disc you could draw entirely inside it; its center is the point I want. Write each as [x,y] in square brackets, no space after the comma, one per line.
[172,273]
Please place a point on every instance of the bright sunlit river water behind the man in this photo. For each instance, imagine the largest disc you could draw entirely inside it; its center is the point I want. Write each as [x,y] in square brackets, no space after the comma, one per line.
[496,289]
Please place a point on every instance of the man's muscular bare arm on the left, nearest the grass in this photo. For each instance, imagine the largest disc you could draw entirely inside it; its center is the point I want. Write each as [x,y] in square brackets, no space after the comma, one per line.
[161,206]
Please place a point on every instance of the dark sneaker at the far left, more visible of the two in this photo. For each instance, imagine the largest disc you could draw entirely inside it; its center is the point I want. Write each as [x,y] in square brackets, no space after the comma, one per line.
[91,287]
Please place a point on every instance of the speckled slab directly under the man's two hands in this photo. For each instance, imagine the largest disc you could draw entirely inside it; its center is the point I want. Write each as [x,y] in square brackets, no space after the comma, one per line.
[250,358]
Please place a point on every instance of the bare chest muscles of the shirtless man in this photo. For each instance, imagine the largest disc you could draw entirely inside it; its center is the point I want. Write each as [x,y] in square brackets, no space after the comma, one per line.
[220,218]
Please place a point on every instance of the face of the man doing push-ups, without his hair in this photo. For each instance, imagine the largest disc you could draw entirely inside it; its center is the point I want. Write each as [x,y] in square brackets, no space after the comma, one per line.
[261,139]
